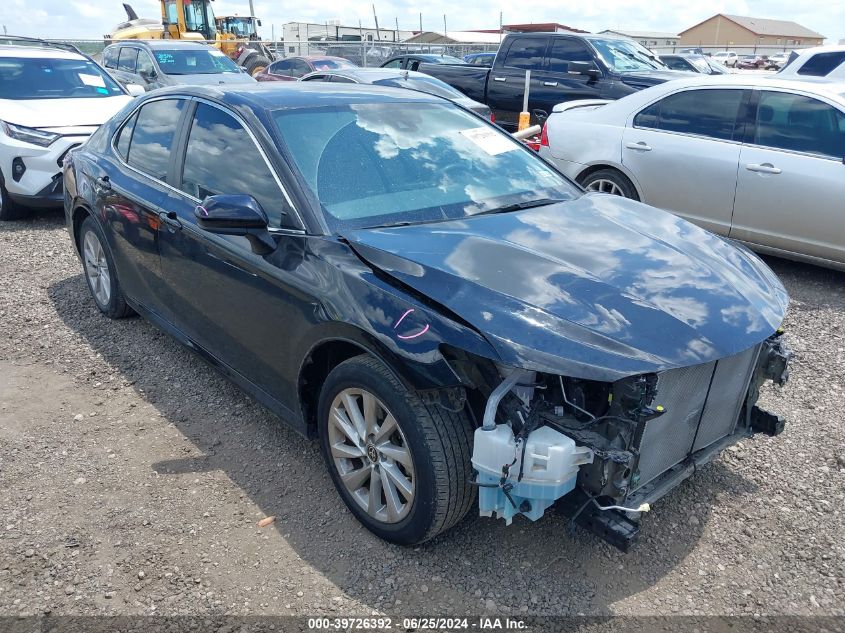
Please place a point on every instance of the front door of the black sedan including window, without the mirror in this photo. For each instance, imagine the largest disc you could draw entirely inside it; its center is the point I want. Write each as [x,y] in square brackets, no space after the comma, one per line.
[234,303]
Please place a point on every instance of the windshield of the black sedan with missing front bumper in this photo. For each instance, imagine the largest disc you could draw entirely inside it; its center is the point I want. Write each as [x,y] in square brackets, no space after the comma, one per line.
[376,164]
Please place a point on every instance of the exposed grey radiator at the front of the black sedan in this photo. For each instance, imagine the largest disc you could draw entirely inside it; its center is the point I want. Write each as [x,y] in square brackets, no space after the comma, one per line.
[702,404]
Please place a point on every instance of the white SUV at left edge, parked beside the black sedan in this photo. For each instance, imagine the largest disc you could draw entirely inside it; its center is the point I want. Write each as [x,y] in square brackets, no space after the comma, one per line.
[51,100]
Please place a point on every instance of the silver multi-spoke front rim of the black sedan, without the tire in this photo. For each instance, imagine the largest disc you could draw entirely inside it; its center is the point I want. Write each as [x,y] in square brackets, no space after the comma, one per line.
[371,455]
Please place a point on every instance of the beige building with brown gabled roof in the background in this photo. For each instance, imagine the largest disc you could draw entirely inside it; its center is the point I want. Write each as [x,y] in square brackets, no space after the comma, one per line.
[737,30]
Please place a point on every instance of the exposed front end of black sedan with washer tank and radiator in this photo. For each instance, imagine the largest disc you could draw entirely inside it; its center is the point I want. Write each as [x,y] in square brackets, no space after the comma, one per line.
[608,450]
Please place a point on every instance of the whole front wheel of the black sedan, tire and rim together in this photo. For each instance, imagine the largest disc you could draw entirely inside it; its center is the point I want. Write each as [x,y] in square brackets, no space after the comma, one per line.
[401,466]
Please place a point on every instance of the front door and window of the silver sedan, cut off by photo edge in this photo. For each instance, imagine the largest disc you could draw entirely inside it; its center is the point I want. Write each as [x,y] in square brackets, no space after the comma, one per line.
[791,181]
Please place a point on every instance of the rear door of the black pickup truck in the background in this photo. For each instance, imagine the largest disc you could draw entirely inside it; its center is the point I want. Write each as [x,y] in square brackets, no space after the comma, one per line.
[506,83]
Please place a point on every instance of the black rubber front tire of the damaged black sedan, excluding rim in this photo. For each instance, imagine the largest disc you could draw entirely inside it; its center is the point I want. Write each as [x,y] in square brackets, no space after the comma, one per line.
[440,443]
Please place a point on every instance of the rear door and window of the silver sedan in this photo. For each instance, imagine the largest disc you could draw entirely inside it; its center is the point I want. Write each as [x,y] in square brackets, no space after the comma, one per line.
[683,151]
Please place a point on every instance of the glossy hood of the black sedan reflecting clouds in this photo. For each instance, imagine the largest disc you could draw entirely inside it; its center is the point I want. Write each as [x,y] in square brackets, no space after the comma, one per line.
[599,287]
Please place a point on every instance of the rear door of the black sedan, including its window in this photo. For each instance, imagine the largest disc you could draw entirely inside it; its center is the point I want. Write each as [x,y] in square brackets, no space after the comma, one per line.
[129,193]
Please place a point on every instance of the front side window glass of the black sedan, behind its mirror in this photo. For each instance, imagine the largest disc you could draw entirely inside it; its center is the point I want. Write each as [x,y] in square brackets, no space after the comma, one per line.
[216,137]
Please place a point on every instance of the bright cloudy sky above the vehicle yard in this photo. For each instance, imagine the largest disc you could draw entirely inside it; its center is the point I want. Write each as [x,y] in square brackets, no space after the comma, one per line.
[91,19]
